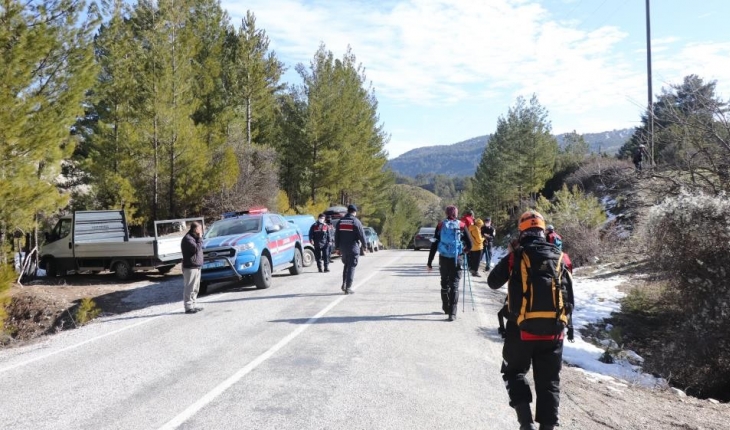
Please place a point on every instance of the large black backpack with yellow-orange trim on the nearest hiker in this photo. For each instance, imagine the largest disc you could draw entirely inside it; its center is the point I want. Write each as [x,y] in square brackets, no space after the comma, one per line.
[535,295]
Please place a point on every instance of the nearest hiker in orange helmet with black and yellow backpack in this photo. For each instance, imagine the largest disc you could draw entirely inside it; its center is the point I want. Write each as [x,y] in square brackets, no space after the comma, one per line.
[539,308]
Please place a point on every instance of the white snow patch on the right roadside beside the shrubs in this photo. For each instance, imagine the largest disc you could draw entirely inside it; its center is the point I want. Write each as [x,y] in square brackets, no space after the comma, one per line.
[595,300]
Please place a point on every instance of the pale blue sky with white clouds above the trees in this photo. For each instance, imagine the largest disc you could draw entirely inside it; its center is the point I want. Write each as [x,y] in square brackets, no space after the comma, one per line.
[445,70]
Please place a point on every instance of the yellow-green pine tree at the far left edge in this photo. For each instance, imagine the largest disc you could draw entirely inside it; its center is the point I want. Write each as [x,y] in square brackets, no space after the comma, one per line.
[46,67]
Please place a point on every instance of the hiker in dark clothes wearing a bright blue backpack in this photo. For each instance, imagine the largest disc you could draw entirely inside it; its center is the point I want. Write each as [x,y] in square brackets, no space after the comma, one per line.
[451,258]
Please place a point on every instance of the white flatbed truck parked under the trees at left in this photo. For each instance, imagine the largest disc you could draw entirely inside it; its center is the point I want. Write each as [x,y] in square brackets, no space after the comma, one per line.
[95,241]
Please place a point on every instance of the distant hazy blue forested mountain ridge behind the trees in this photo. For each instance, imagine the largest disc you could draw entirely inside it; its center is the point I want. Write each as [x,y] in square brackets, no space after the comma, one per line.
[462,158]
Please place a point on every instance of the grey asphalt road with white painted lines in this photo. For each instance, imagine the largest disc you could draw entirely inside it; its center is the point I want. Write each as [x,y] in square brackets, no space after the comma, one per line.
[300,355]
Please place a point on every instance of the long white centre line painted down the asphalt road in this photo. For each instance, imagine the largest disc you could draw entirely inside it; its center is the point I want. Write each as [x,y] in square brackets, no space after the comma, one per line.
[228,383]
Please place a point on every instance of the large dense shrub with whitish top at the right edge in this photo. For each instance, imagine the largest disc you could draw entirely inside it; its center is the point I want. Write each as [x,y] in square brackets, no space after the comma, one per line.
[688,238]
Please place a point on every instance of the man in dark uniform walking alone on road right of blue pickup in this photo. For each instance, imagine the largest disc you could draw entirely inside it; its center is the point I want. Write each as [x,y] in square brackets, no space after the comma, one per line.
[349,238]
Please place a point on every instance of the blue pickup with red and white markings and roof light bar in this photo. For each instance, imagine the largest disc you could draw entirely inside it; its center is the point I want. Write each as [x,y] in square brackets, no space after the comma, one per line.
[250,244]
